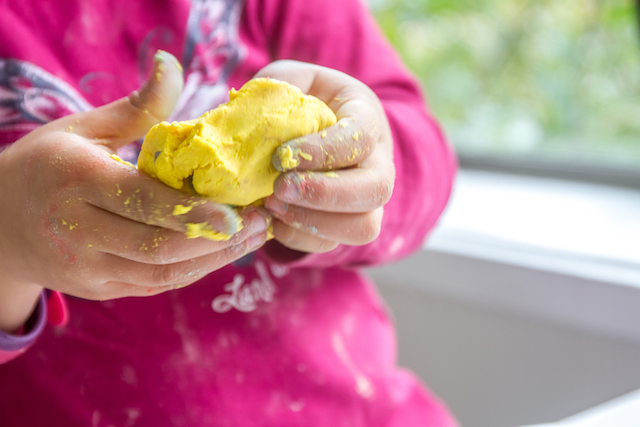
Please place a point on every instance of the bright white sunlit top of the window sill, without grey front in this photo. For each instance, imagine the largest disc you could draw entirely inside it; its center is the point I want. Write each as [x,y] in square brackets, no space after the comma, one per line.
[582,230]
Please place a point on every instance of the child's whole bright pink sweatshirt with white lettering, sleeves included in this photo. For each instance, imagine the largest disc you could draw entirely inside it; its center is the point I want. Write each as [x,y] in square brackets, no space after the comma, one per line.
[256,343]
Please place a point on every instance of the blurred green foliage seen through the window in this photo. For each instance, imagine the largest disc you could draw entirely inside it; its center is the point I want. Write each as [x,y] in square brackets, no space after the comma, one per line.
[545,79]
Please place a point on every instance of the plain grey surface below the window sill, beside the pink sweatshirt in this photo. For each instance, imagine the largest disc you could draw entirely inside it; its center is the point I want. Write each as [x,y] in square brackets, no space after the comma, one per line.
[498,369]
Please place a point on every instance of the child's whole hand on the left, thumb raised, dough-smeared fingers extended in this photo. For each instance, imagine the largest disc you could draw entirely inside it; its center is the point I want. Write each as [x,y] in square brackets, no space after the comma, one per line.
[77,221]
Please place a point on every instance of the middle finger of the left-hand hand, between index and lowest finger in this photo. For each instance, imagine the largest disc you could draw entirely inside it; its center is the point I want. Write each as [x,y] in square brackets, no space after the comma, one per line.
[138,242]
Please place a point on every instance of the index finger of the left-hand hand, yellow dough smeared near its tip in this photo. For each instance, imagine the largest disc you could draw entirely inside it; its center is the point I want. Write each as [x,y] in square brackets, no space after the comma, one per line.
[132,194]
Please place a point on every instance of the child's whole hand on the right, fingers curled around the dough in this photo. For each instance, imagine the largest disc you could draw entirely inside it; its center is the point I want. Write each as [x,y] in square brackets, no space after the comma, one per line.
[316,211]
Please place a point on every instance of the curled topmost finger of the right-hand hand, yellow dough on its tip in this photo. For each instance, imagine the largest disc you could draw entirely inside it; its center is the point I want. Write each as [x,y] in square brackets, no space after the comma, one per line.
[361,118]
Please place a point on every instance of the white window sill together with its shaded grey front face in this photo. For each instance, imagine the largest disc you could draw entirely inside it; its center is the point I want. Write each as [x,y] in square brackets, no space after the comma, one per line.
[555,250]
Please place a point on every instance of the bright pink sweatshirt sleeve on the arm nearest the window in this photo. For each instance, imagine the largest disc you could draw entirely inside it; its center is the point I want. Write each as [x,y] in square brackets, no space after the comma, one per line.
[342,34]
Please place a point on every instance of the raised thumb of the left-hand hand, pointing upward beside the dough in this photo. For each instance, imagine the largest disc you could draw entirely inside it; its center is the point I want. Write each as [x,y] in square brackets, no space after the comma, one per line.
[130,118]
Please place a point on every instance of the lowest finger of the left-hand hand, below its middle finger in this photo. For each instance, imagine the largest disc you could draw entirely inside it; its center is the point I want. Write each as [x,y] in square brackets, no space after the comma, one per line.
[149,275]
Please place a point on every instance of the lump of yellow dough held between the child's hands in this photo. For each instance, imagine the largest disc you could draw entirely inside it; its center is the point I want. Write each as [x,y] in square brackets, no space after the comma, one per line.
[226,153]
